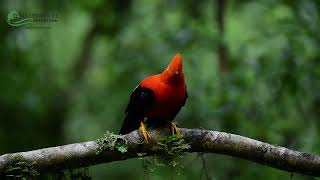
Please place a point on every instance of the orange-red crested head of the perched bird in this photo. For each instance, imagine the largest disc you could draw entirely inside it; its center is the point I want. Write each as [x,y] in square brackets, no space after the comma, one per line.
[174,72]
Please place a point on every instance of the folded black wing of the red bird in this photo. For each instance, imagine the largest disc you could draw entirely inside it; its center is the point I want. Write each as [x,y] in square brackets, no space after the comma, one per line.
[140,102]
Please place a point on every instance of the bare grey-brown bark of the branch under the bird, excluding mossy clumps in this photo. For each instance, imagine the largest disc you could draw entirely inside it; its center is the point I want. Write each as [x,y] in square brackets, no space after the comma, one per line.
[84,154]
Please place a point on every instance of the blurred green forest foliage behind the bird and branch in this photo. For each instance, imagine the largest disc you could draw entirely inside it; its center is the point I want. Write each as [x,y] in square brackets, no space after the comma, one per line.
[71,82]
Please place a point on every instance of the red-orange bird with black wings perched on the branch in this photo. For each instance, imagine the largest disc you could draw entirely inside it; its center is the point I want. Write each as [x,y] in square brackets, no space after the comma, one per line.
[157,100]
